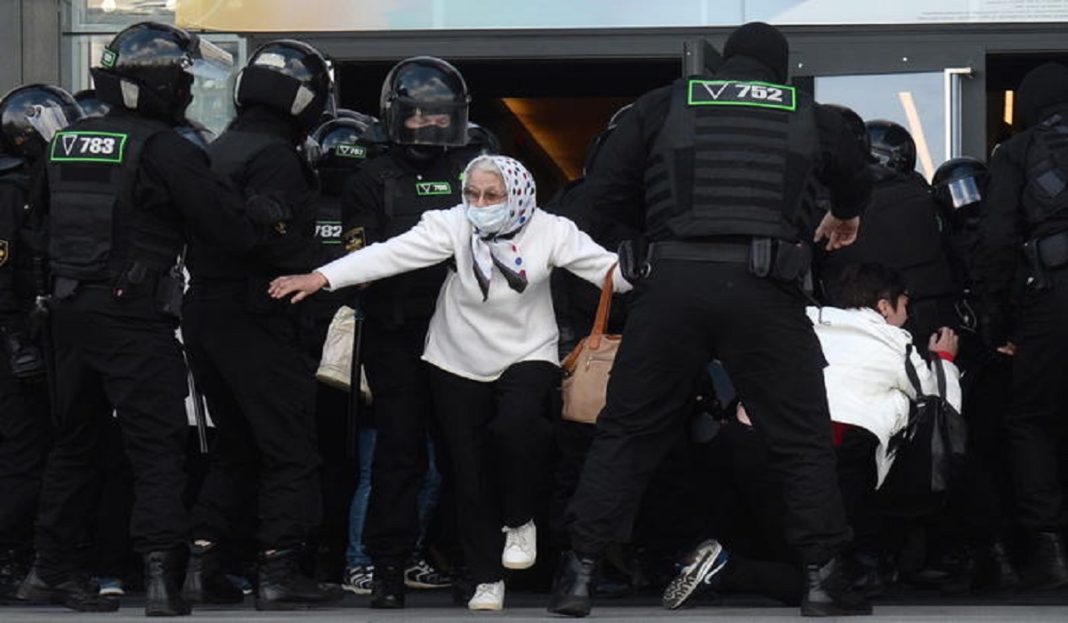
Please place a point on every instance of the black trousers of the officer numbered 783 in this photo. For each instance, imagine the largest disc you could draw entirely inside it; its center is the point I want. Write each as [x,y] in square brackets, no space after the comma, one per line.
[121,355]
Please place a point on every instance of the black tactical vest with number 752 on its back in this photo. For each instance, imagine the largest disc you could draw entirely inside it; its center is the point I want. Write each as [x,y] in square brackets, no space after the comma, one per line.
[719,166]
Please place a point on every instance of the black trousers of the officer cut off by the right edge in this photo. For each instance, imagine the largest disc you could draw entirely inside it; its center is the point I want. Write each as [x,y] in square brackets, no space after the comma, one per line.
[1035,423]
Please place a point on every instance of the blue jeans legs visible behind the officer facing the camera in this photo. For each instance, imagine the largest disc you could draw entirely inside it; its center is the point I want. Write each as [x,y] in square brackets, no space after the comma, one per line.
[429,496]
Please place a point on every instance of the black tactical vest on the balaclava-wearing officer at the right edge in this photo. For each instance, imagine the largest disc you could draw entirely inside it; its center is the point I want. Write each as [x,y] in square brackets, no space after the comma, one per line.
[1046,191]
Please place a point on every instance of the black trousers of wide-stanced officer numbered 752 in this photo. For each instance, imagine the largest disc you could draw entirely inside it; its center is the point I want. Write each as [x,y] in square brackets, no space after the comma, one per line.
[683,316]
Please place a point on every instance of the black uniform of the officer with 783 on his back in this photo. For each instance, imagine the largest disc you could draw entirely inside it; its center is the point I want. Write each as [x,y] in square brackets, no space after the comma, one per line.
[124,194]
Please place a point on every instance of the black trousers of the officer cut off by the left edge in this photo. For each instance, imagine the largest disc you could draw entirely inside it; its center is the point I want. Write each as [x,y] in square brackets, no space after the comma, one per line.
[26,433]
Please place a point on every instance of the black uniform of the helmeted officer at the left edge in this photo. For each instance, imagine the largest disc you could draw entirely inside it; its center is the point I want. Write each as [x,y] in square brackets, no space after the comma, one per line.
[25,423]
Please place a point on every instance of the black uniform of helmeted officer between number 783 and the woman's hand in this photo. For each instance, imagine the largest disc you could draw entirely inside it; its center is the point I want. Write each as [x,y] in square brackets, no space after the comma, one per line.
[245,349]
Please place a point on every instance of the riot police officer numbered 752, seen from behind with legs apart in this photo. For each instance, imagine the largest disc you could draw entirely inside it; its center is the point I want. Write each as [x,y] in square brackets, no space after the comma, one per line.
[717,166]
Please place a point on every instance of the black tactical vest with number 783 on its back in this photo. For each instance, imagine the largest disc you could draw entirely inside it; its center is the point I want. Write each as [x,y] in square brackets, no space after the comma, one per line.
[97,229]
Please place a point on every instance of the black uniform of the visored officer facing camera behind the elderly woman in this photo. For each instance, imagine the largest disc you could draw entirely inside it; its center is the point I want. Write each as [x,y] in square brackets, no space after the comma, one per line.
[385,199]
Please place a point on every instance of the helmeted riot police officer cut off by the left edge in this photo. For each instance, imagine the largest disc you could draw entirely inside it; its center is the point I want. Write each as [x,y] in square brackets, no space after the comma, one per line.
[29,117]
